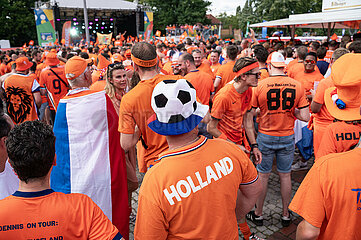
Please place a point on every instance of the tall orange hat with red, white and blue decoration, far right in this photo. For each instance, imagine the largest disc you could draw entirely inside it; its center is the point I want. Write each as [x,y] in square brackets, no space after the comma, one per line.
[344,100]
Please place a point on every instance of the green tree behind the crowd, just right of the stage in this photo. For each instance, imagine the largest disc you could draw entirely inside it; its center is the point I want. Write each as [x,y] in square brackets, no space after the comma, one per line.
[168,12]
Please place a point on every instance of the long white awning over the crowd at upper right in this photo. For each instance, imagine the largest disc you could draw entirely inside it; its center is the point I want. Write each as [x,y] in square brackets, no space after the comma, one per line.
[348,18]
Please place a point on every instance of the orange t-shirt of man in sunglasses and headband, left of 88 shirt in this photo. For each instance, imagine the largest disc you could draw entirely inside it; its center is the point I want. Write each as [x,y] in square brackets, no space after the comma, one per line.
[229,107]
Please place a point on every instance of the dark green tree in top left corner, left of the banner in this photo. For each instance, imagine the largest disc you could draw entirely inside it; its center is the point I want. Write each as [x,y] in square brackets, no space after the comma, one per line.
[17,21]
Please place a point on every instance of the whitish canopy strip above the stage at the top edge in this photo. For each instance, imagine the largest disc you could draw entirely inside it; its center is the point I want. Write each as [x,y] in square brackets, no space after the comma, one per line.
[97,4]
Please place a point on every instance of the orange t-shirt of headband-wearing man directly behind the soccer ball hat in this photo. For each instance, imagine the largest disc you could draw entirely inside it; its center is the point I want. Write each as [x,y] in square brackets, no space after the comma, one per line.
[135,109]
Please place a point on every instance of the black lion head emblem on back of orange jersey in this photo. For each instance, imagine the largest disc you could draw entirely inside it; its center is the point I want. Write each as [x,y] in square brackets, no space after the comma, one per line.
[19,104]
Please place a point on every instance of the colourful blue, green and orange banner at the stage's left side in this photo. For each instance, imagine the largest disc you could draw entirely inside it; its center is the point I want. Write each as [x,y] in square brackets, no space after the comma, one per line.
[45,29]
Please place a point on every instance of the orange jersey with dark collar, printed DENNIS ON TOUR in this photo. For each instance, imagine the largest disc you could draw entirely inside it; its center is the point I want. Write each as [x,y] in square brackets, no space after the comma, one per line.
[53,215]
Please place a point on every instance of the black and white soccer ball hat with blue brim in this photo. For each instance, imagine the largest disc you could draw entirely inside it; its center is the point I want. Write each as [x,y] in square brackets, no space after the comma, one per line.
[176,108]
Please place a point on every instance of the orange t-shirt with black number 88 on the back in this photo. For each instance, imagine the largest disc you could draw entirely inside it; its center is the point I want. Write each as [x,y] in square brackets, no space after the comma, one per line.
[277,97]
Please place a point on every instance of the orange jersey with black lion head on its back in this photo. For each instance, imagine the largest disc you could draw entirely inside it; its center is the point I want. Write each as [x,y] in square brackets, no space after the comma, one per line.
[19,91]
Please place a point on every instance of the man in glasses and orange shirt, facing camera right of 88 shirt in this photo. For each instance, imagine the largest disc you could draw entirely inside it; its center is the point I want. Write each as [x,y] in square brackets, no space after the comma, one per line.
[309,75]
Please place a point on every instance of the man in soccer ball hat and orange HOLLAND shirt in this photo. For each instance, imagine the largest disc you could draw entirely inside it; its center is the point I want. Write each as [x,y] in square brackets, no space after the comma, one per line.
[197,178]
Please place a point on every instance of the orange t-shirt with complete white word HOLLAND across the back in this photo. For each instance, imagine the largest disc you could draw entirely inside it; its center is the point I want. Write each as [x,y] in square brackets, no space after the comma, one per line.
[192,192]
